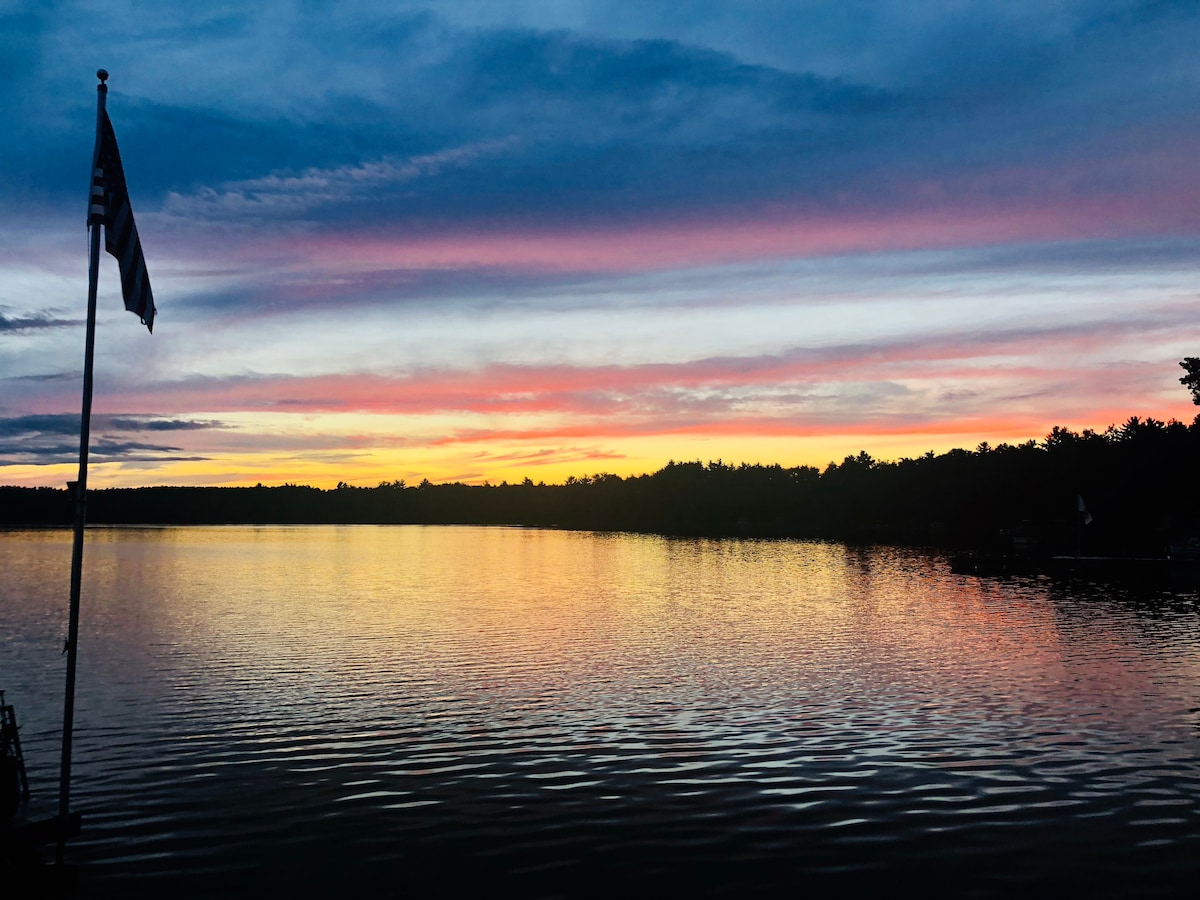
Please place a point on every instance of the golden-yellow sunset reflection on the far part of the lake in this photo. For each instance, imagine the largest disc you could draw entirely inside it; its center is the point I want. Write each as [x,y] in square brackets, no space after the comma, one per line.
[281,617]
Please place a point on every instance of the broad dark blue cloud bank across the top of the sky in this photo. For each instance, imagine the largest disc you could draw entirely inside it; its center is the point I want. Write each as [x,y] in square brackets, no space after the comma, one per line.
[590,125]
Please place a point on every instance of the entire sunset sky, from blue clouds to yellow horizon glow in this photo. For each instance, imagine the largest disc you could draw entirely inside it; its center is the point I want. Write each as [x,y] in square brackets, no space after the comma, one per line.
[487,242]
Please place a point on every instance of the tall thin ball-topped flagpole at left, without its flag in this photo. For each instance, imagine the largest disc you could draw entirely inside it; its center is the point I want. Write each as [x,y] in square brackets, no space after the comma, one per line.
[81,487]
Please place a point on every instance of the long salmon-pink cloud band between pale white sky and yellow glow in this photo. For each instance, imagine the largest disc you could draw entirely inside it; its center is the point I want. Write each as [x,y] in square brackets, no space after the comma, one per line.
[599,389]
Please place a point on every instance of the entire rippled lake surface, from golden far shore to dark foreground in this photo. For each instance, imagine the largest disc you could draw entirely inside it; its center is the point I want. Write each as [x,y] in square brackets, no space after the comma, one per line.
[416,711]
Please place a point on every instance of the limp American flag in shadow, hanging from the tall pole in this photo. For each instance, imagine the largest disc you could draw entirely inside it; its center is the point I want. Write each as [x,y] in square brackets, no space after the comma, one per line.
[111,208]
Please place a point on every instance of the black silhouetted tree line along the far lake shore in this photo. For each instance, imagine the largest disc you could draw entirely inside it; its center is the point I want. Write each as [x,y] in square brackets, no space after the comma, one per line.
[1139,484]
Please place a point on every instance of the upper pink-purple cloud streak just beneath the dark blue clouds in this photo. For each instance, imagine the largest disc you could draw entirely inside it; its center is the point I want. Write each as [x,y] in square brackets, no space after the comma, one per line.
[1149,193]
